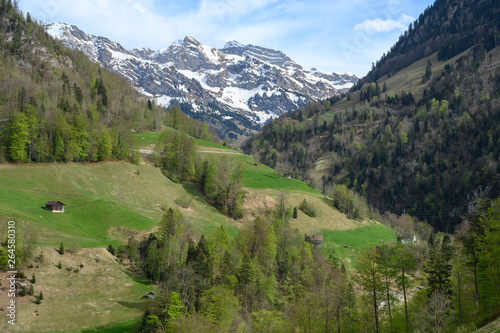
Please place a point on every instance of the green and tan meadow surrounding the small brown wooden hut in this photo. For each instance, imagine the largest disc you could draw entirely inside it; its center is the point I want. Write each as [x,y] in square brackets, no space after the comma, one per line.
[99,198]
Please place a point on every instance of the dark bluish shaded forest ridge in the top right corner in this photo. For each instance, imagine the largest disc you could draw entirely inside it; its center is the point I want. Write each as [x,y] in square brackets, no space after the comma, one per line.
[448,27]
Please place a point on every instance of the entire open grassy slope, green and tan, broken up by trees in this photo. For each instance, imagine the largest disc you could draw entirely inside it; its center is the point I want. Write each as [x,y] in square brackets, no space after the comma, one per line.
[108,203]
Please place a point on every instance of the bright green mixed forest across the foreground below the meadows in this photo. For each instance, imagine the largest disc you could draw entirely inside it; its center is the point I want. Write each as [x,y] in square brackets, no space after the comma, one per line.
[269,279]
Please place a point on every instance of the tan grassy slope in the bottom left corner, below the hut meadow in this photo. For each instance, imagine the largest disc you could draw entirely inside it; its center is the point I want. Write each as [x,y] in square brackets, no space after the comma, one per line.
[100,293]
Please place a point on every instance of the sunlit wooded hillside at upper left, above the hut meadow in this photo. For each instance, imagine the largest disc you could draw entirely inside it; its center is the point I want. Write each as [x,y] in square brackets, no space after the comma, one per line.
[55,105]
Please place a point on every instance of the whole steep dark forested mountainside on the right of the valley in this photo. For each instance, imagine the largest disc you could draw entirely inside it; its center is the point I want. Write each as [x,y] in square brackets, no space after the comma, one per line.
[423,139]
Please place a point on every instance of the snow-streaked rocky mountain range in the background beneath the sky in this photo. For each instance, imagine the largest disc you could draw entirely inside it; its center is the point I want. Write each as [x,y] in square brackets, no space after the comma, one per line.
[236,89]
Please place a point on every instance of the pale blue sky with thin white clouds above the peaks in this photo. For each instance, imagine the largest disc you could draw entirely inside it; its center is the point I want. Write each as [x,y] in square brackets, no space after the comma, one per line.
[332,35]
